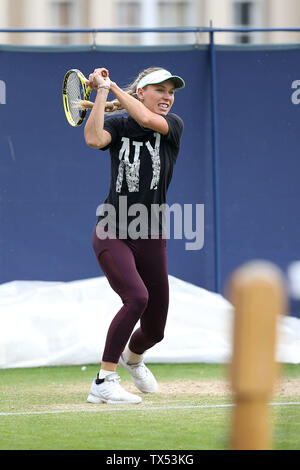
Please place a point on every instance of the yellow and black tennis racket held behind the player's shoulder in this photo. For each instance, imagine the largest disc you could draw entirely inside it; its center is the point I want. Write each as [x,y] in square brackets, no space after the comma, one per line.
[76,94]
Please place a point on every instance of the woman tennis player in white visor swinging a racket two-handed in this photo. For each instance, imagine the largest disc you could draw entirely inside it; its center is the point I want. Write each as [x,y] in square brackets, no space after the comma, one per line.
[144,145]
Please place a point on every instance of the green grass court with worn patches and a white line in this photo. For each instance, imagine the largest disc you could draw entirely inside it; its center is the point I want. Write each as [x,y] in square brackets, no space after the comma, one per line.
[46,409]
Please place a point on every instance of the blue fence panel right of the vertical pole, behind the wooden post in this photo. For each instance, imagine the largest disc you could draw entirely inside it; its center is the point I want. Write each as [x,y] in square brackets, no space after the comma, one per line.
[259,156]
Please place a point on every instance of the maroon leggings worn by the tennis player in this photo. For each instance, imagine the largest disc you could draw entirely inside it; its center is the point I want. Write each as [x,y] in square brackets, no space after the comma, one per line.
[137,272]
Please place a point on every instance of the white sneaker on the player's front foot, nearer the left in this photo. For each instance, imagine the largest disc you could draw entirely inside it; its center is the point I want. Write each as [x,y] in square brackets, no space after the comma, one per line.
[109,390]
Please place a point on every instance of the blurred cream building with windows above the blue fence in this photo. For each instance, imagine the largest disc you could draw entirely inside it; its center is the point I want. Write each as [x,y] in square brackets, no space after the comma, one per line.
[147,13]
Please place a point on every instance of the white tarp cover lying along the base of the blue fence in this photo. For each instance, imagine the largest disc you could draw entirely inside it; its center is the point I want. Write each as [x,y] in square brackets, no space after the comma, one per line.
[65,323]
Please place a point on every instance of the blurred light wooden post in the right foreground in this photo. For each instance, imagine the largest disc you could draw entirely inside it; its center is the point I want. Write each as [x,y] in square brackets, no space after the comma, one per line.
[257,292]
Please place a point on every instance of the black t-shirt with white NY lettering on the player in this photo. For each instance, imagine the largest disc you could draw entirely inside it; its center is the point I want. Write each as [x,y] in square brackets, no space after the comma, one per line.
[142,162]
